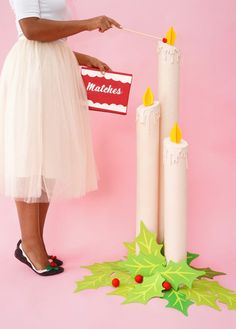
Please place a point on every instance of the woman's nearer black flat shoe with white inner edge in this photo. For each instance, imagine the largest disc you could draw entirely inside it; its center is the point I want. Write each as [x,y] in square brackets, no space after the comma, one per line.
[49,270]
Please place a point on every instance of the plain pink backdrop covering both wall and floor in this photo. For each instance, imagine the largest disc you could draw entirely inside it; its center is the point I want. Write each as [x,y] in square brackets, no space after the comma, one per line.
[94,228]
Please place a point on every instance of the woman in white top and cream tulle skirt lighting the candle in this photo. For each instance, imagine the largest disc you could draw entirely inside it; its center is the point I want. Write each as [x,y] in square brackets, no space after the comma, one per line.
[46,150]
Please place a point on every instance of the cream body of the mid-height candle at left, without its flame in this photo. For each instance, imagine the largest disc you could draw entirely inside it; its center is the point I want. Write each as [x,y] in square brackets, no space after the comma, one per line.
[147,130]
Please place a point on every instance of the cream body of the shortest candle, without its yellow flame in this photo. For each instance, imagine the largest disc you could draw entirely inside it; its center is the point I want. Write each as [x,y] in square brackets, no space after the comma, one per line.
[175,199]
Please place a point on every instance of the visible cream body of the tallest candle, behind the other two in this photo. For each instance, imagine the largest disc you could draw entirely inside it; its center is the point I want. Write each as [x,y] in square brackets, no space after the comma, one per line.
[168,95]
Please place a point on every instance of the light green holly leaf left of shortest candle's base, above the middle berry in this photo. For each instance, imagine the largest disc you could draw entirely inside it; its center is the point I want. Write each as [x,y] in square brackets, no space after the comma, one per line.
[145,265]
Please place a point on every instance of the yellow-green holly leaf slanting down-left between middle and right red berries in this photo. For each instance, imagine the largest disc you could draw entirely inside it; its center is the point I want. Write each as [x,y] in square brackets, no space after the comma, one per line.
[149,288]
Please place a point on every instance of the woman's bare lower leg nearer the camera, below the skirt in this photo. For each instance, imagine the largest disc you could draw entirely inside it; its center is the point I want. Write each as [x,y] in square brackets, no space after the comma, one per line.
[32,244]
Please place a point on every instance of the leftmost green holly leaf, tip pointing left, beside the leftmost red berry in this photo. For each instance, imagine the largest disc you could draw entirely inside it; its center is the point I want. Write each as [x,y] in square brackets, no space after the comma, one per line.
[93,282]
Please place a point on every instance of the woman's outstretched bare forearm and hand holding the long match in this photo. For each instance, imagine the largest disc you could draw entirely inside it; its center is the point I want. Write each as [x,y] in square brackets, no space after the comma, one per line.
[41,29]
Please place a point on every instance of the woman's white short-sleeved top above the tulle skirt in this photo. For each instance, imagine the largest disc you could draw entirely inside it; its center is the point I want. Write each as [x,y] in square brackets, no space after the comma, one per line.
[48,9]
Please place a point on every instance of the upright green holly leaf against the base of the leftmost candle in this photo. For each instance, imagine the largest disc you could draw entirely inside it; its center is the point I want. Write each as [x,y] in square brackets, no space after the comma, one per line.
[147,242]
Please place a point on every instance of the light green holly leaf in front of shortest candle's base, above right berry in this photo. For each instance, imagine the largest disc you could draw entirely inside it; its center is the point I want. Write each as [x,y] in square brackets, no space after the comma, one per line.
[180,273]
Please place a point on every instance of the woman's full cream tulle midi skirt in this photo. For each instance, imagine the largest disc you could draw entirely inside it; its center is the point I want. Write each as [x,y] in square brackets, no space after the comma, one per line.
[46,150]
